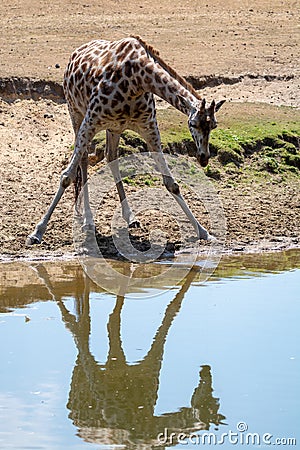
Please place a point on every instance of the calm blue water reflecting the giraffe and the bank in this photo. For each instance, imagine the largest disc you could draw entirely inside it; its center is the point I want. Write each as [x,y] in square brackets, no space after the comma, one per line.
[202,364]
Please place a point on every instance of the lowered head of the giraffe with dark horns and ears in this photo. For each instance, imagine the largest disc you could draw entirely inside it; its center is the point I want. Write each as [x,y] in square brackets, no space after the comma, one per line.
[201,121]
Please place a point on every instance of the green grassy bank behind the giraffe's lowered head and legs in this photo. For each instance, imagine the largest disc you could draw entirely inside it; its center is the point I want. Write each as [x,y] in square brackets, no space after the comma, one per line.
[251,138]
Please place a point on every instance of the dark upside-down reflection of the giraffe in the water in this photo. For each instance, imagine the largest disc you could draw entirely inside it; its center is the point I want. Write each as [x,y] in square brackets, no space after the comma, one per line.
[114,403]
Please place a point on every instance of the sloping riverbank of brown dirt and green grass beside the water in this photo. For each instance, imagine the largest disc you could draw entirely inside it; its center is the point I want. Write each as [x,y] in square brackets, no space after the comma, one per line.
[254,170]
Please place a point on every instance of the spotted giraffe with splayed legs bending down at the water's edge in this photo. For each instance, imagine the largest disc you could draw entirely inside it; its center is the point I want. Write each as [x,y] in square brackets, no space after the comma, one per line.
[110,85]
